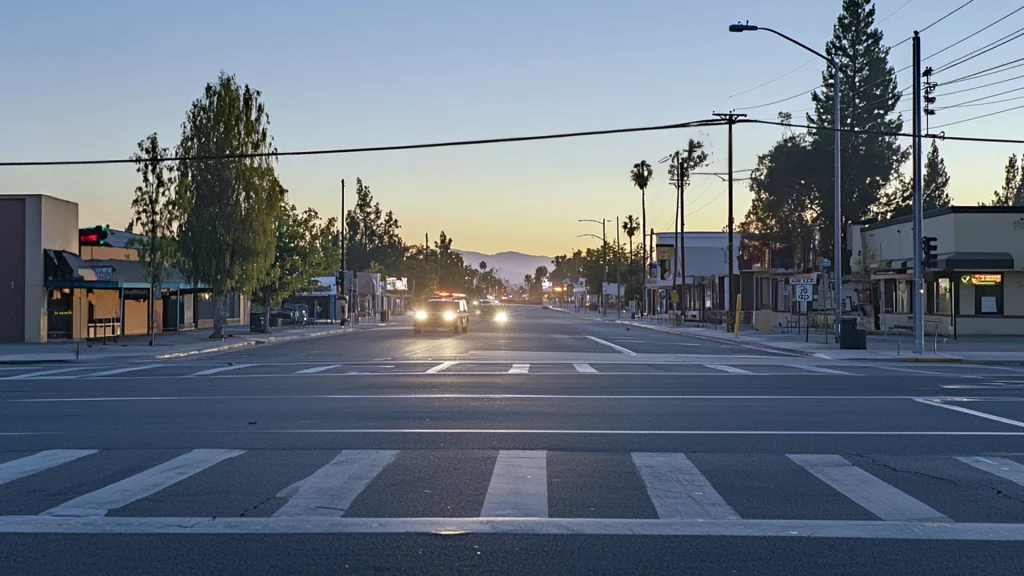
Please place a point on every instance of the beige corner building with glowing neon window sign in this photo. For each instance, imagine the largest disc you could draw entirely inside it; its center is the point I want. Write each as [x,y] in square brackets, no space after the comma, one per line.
[978,286]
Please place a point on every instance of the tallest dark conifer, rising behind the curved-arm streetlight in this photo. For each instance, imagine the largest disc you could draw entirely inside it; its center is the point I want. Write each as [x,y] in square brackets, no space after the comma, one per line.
[870,98]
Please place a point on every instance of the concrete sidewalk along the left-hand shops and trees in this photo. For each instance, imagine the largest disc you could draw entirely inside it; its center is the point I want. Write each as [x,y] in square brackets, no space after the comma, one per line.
[169,345]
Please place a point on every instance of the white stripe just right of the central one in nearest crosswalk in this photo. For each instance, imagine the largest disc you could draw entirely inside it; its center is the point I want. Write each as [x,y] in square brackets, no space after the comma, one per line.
[678,490]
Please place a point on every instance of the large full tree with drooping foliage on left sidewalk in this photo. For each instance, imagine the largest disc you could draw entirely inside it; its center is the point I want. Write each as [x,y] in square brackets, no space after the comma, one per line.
[228,191]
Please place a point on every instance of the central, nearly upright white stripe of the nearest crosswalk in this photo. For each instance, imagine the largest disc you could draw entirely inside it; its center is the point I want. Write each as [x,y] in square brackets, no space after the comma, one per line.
[519,486]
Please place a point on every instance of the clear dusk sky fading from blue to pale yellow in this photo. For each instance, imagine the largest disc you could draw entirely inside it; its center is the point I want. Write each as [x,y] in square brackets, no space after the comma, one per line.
[89,80]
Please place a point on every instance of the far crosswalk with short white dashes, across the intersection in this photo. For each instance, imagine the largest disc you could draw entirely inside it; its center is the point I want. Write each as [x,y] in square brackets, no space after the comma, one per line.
[655,367]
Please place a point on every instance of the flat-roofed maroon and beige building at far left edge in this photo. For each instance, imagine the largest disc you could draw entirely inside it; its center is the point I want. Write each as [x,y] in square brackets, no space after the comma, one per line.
[30,225]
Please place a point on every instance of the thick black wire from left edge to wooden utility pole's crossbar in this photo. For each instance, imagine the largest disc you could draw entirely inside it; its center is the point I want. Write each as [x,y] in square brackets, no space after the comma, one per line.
[451,144]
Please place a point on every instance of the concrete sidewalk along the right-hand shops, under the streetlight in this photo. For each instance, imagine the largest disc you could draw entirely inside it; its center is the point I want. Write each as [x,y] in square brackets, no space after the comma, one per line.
[967,350]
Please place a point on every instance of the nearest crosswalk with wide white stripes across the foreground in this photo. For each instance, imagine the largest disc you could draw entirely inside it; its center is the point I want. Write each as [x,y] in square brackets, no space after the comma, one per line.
[528,491]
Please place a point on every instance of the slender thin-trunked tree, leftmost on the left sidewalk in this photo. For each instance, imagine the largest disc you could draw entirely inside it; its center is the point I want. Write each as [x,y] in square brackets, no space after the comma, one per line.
[154,214]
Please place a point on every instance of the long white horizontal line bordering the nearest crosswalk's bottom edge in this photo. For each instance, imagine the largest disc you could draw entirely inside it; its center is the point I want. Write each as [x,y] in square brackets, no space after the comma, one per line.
[882,530]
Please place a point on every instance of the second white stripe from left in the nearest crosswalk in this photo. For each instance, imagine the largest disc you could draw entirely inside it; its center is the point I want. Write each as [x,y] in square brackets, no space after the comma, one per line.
[144,484]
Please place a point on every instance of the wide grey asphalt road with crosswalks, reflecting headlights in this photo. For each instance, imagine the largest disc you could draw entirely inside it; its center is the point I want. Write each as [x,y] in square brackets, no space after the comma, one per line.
[557,444]
